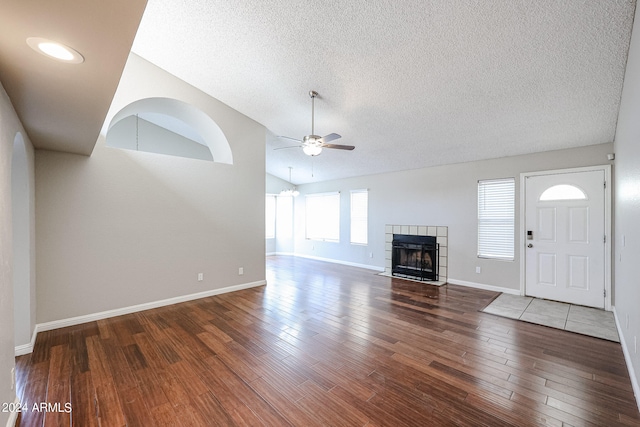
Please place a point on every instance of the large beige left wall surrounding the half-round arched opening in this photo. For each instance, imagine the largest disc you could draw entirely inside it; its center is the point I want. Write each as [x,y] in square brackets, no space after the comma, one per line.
[122,227]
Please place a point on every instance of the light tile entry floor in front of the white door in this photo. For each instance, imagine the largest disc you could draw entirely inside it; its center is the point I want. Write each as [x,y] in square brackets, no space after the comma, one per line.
[575,318]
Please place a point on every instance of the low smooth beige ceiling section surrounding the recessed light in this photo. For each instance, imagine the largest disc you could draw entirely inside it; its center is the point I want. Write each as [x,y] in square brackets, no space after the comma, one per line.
[62,106]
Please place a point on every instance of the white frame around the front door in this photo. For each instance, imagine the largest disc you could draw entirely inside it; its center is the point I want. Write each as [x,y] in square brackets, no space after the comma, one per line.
[607,224]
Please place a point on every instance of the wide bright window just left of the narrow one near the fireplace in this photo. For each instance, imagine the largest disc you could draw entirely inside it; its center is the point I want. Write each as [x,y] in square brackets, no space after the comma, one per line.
[323,216]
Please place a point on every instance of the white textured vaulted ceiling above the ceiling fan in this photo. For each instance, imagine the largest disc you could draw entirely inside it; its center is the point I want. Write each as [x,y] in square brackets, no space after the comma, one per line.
[411,84]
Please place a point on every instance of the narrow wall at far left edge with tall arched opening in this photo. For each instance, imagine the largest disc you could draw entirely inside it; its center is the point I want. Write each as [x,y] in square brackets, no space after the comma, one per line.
[10,126]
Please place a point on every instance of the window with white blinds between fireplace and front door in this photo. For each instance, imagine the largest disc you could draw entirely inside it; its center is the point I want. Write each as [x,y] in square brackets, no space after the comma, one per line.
[496,218]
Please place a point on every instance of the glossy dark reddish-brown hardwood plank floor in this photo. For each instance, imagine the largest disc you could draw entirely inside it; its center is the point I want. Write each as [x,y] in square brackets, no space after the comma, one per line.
[324,344]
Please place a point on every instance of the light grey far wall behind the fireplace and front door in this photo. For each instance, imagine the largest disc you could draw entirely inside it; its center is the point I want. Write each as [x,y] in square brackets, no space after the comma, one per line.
[445,196]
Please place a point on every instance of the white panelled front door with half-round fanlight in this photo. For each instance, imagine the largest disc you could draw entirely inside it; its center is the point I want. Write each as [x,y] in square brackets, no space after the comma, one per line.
[565,237]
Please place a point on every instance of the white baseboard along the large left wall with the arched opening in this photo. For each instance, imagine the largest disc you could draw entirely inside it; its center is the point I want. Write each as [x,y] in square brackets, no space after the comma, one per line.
[62,323]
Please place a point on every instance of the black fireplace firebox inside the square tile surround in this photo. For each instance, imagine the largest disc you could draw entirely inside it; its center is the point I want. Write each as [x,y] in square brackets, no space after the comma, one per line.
[415,257]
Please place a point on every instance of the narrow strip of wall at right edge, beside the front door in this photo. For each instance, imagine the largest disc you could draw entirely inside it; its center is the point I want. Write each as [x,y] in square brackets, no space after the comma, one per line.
[627,210]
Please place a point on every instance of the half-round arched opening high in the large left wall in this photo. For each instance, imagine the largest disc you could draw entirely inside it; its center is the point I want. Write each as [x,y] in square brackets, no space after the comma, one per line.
[203,128]
